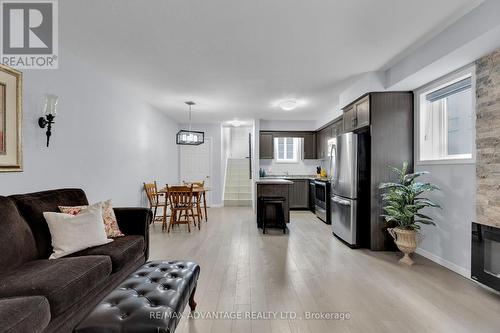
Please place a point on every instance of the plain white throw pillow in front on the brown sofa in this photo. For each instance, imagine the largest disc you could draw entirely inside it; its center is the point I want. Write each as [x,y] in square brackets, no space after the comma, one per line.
[72,233]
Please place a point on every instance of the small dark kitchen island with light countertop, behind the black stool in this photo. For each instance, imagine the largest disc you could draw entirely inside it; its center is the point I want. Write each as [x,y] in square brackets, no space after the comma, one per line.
[273,187]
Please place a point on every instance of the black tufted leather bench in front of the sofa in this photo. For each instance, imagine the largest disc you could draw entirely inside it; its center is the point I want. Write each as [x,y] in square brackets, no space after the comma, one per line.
[151,299]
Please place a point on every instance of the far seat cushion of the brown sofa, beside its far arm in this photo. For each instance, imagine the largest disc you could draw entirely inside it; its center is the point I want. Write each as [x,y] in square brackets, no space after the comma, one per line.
[122,250]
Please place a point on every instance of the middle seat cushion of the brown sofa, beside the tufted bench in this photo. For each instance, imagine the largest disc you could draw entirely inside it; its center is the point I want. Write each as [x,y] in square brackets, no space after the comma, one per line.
[63,281]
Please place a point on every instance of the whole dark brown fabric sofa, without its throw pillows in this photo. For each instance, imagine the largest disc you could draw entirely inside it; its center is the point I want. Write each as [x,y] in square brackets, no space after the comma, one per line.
[42,295]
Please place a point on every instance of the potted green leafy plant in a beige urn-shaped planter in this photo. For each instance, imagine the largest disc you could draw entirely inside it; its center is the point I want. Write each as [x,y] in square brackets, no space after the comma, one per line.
[403,202]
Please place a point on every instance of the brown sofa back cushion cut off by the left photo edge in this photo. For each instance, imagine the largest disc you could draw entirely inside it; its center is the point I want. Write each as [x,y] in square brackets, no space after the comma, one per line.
[17,244]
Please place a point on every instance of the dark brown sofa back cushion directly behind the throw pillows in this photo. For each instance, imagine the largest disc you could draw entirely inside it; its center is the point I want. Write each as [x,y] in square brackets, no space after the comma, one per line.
[32,205]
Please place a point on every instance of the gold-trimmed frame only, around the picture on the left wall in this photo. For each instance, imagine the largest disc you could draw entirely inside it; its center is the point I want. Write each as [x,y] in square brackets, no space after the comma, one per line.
[18,165]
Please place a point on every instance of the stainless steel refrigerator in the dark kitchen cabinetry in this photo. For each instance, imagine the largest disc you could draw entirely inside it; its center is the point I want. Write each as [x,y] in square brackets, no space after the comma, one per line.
[349,175]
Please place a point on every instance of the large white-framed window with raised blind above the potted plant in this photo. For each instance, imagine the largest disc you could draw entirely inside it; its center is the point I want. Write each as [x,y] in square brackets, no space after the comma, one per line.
[445,118]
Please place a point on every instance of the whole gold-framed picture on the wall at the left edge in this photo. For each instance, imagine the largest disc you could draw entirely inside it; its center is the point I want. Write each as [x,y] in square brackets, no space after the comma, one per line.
[10,119]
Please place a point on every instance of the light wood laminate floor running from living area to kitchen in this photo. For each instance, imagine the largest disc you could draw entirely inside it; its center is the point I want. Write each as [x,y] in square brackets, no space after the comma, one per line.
[308,270]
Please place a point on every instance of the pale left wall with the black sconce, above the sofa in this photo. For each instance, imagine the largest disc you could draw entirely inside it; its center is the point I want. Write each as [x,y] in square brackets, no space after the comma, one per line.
[104,140]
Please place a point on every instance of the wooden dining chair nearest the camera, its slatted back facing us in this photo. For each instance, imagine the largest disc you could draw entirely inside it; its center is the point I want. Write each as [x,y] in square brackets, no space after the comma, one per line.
[182,206]
